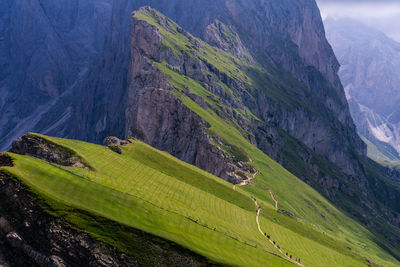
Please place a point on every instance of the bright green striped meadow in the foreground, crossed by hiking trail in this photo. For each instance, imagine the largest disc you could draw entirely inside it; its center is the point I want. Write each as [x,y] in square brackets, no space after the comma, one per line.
[154,192]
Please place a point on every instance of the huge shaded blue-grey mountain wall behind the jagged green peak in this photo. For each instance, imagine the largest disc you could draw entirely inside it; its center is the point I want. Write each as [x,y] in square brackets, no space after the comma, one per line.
[89,103]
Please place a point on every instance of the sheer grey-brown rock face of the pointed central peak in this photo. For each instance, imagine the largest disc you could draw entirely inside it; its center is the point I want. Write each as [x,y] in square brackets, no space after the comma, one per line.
[156,116]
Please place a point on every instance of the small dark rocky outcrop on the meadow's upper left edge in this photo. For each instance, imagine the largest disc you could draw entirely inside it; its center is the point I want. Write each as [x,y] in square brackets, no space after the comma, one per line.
[38,147]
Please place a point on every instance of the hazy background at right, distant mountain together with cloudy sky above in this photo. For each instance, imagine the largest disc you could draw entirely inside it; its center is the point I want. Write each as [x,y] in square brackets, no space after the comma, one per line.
[365,39]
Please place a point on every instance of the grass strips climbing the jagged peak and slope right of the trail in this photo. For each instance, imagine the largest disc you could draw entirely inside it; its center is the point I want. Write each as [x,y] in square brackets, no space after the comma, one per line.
[316,220]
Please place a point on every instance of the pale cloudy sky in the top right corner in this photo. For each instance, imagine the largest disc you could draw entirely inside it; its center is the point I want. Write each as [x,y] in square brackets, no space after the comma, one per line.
[381,14]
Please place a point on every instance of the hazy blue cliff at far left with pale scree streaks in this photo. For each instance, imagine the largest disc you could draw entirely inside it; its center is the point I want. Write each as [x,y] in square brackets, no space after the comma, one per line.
[47,50]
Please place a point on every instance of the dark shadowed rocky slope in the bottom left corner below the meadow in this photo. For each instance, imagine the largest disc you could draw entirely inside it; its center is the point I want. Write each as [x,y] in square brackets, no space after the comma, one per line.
[31,237]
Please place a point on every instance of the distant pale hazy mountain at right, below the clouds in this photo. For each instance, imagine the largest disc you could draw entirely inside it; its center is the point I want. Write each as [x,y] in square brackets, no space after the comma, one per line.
[370,61]
